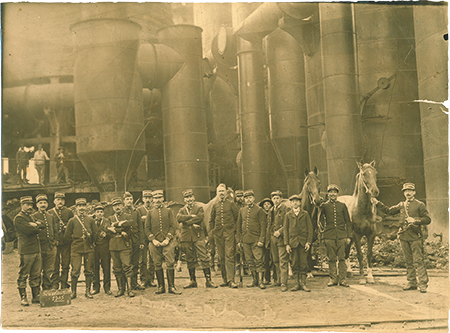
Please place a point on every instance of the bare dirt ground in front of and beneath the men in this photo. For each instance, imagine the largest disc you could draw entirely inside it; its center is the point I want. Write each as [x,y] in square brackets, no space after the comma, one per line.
[382,306]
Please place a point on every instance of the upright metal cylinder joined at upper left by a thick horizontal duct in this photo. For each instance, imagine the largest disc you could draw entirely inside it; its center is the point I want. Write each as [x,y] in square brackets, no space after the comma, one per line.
[184,118]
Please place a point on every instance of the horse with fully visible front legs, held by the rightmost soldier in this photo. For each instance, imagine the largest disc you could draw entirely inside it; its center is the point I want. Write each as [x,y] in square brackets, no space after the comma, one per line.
[363,215]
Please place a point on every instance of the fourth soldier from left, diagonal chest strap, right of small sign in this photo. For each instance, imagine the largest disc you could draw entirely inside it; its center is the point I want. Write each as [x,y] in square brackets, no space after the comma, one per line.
[82,231]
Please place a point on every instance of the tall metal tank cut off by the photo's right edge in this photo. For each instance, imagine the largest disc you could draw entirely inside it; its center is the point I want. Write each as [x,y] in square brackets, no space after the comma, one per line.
[431,51]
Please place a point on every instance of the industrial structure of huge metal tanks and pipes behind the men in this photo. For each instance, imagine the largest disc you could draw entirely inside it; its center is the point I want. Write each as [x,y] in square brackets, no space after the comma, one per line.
[246,94]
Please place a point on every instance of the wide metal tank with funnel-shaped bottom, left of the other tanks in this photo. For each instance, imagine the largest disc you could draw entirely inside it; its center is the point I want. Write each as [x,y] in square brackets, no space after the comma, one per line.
[108,101]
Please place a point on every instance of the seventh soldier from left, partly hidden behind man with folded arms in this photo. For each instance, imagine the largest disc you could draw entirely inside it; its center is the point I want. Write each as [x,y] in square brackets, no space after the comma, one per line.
[137,239]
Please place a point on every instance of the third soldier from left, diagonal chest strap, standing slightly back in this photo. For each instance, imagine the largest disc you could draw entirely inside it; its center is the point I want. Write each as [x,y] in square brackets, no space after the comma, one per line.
[61,215]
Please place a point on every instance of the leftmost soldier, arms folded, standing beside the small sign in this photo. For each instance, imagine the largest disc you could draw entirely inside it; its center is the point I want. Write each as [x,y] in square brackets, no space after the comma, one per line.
[27,229]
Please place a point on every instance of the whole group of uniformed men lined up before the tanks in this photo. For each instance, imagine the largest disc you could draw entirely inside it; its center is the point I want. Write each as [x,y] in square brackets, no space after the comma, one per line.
[50,240]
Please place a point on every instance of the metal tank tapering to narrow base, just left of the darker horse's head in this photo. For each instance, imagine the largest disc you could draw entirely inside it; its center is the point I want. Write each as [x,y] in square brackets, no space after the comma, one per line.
[287,106]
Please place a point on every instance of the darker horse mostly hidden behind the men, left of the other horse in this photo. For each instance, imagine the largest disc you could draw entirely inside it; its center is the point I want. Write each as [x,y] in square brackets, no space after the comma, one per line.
[310,195]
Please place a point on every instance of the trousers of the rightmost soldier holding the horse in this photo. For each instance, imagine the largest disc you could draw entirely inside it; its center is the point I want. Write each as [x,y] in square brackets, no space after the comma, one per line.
[415,266]
